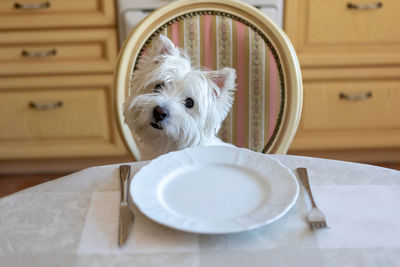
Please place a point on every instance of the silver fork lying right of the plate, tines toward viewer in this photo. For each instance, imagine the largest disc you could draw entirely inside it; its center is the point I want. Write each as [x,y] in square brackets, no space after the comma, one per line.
[316,219]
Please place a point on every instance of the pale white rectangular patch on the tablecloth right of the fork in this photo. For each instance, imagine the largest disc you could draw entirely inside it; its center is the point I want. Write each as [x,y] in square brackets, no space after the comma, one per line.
[360,216]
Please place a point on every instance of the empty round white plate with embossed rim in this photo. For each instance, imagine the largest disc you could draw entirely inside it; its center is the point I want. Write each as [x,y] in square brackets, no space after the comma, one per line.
[214,190]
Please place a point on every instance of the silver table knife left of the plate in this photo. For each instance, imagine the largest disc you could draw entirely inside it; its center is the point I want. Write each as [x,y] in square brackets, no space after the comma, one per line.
[125,214]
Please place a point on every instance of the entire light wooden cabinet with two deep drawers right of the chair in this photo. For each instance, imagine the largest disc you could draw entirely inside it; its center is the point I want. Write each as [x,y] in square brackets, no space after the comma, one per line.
[350,58]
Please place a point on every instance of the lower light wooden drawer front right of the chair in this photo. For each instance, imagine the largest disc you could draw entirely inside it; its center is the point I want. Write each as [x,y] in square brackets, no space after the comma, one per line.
[368,120]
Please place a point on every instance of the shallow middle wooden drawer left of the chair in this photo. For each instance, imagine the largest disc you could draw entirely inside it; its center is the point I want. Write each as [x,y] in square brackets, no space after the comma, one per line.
[64,51]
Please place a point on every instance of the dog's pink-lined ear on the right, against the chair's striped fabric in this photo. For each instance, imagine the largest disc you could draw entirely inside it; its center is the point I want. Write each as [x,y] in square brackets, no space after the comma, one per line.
[224,80]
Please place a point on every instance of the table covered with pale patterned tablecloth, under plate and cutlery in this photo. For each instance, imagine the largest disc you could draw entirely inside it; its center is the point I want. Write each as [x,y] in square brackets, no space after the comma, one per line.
[74,220]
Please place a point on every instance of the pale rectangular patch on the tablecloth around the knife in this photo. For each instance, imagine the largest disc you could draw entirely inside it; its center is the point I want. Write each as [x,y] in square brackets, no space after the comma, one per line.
[100,233]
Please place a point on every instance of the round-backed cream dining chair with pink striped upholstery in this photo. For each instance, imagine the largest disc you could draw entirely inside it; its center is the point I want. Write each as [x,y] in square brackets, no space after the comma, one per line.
[226,33]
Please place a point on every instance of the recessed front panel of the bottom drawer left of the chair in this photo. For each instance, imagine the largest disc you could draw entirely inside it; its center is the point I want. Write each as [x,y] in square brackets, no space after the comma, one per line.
[50,114]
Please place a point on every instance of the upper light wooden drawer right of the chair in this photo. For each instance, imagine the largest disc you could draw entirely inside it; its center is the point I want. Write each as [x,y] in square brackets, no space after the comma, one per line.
[330,34]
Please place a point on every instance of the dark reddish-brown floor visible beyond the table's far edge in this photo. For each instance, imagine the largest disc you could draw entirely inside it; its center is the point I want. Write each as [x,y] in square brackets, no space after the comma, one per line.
[13,183]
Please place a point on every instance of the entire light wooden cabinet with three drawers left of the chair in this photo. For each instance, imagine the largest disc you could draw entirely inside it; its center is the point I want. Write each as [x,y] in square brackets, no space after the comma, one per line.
[56,71]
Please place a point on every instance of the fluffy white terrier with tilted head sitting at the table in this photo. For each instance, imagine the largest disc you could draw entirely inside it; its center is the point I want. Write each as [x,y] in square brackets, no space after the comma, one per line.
[172,105]
